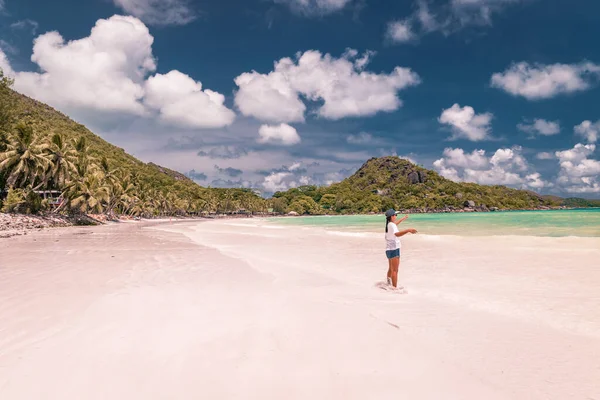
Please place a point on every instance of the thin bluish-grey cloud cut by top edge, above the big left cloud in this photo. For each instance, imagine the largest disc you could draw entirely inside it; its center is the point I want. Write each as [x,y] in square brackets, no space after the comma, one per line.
[159,12]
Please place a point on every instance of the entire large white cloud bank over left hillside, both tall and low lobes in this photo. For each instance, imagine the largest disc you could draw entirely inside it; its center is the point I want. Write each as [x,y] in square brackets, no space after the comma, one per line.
[107,71]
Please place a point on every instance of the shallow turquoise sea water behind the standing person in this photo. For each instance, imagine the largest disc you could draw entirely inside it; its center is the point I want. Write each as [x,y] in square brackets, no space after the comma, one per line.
[555,223]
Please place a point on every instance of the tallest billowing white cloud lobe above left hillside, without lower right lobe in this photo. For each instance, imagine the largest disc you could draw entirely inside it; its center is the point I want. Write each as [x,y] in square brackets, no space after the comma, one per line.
[104,71]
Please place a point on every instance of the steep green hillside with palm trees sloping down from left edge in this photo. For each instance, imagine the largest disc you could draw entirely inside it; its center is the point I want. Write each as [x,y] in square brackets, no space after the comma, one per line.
[93,175]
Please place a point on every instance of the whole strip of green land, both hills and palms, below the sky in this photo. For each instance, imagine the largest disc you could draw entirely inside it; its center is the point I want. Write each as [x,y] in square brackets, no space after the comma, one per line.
[51,165]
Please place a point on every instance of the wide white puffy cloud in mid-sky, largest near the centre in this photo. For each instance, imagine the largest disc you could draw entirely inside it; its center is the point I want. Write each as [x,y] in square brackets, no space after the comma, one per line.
[345,89]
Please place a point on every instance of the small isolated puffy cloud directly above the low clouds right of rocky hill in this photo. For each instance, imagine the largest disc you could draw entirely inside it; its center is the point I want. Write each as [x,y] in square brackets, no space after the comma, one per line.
[466,124]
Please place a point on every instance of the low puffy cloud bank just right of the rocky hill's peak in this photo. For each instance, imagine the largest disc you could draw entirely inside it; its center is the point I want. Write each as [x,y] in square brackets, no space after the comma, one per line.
[506,166]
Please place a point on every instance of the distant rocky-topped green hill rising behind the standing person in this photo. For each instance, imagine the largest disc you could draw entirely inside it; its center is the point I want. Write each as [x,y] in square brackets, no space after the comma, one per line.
[391,182]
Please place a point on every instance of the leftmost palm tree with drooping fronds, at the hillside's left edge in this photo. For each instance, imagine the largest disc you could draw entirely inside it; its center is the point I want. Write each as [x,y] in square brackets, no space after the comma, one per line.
[24,159]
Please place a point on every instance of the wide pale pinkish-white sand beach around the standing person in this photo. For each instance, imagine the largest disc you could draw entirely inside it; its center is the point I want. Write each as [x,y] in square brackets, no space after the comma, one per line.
[244,309]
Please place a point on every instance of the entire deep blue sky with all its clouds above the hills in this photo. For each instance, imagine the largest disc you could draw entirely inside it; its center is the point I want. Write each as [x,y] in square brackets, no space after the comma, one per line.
[273,94]
